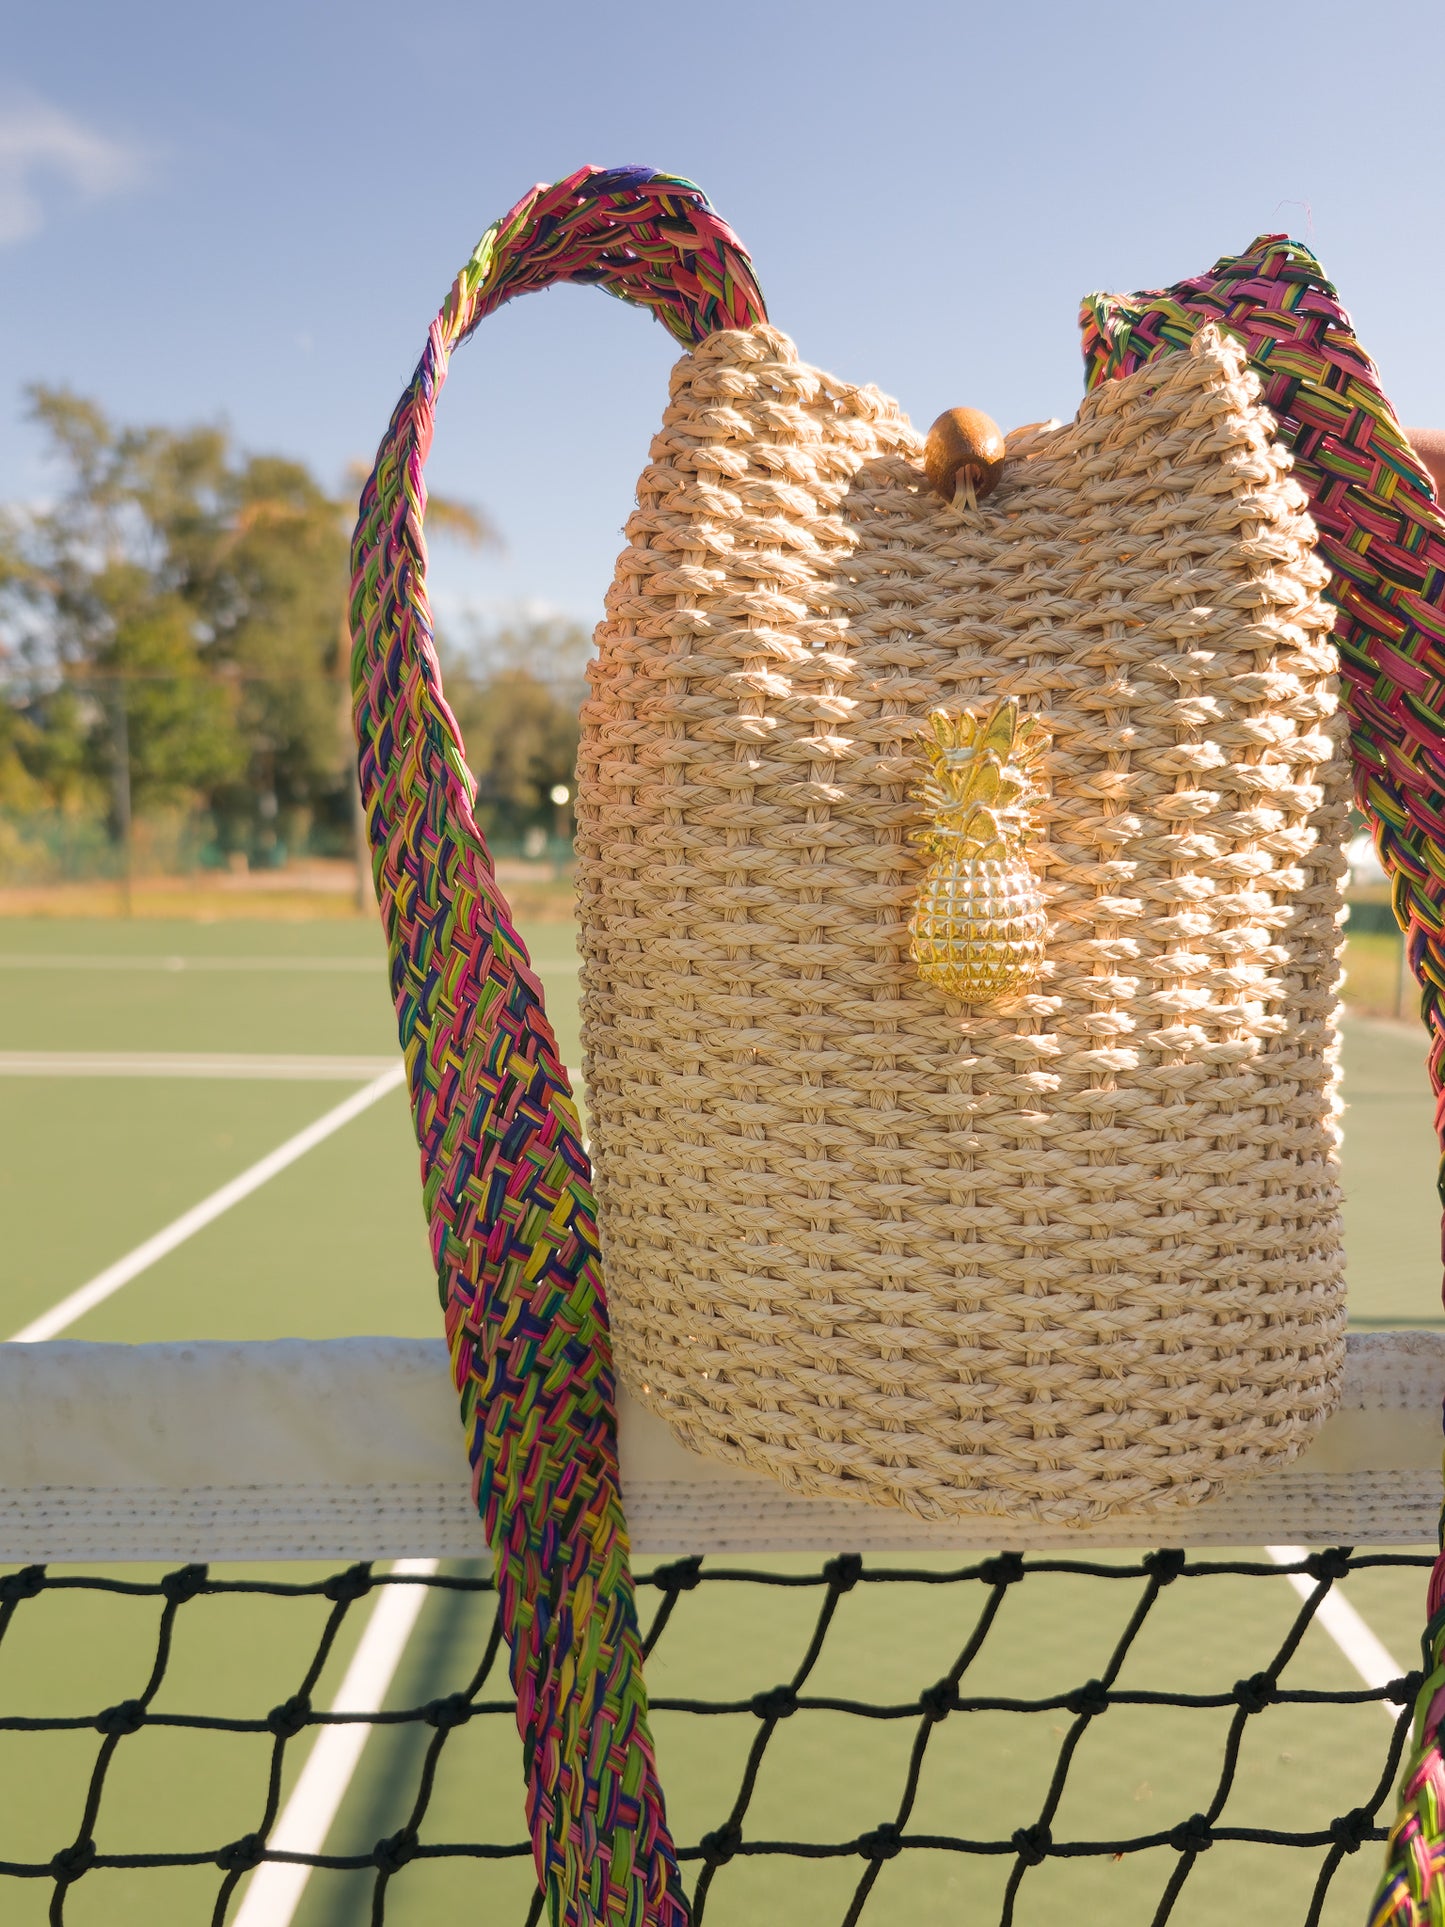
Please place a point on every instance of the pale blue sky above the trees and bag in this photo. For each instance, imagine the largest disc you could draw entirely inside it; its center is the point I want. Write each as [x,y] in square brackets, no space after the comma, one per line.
[253,213]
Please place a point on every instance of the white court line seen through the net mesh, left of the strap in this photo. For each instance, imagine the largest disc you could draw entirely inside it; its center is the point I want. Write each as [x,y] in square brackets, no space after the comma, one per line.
[276,1886]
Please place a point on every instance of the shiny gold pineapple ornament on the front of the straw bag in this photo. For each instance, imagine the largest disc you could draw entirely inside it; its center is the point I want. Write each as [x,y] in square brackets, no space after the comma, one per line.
[978,932]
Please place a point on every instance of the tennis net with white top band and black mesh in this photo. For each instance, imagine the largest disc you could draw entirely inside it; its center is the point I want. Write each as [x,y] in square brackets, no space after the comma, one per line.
[878,1733]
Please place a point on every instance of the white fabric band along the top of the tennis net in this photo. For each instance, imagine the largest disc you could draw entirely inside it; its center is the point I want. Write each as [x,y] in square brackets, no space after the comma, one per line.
[352,1450]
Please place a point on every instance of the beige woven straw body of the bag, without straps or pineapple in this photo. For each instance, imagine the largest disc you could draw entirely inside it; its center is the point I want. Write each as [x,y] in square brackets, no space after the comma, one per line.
[1053,1259]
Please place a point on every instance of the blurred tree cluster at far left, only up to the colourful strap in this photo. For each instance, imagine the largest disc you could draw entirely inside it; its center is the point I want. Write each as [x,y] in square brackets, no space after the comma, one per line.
[201,591]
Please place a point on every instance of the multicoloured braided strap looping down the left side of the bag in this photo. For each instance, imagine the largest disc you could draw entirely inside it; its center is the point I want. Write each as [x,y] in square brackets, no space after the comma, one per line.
[506,1180]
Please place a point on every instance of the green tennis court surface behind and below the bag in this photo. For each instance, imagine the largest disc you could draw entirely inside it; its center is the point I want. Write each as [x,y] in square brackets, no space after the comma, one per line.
[95,1159]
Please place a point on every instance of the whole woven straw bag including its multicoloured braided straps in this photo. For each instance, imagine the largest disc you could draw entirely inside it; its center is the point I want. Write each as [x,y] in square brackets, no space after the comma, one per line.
[962,887]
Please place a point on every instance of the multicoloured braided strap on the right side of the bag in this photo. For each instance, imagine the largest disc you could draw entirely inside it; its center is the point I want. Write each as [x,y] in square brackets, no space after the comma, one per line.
[1384,541]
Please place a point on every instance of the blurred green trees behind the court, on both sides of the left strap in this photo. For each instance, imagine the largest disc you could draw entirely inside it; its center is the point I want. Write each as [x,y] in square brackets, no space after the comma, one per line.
[172,648]
